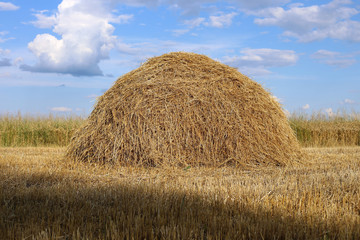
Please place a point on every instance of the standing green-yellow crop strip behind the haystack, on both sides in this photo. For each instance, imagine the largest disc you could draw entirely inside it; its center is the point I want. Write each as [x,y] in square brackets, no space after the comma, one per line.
[316,130]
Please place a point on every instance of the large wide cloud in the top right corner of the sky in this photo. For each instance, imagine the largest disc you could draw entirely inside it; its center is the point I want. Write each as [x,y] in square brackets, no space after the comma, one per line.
[332,20]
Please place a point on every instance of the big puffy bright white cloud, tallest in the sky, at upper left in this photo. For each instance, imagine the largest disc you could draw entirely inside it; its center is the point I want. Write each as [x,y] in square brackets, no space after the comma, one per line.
[86,38]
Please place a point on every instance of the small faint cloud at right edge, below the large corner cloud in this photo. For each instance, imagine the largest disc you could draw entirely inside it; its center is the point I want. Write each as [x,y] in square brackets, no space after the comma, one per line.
[336,59]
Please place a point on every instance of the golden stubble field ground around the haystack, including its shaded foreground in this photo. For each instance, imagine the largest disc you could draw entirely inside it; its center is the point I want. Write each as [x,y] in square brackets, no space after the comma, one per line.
[44,196]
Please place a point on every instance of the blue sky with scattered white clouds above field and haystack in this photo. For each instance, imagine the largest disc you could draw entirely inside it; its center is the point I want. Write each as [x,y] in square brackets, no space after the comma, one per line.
[58,56]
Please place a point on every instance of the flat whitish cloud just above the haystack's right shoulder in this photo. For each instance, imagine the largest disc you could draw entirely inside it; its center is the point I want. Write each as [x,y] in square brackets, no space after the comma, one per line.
[258,61]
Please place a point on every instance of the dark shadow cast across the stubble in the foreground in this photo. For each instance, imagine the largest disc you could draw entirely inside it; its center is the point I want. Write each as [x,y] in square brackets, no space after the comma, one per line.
[43,206]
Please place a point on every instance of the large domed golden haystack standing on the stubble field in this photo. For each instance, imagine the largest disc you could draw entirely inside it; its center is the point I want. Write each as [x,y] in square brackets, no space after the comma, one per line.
[186,109]
